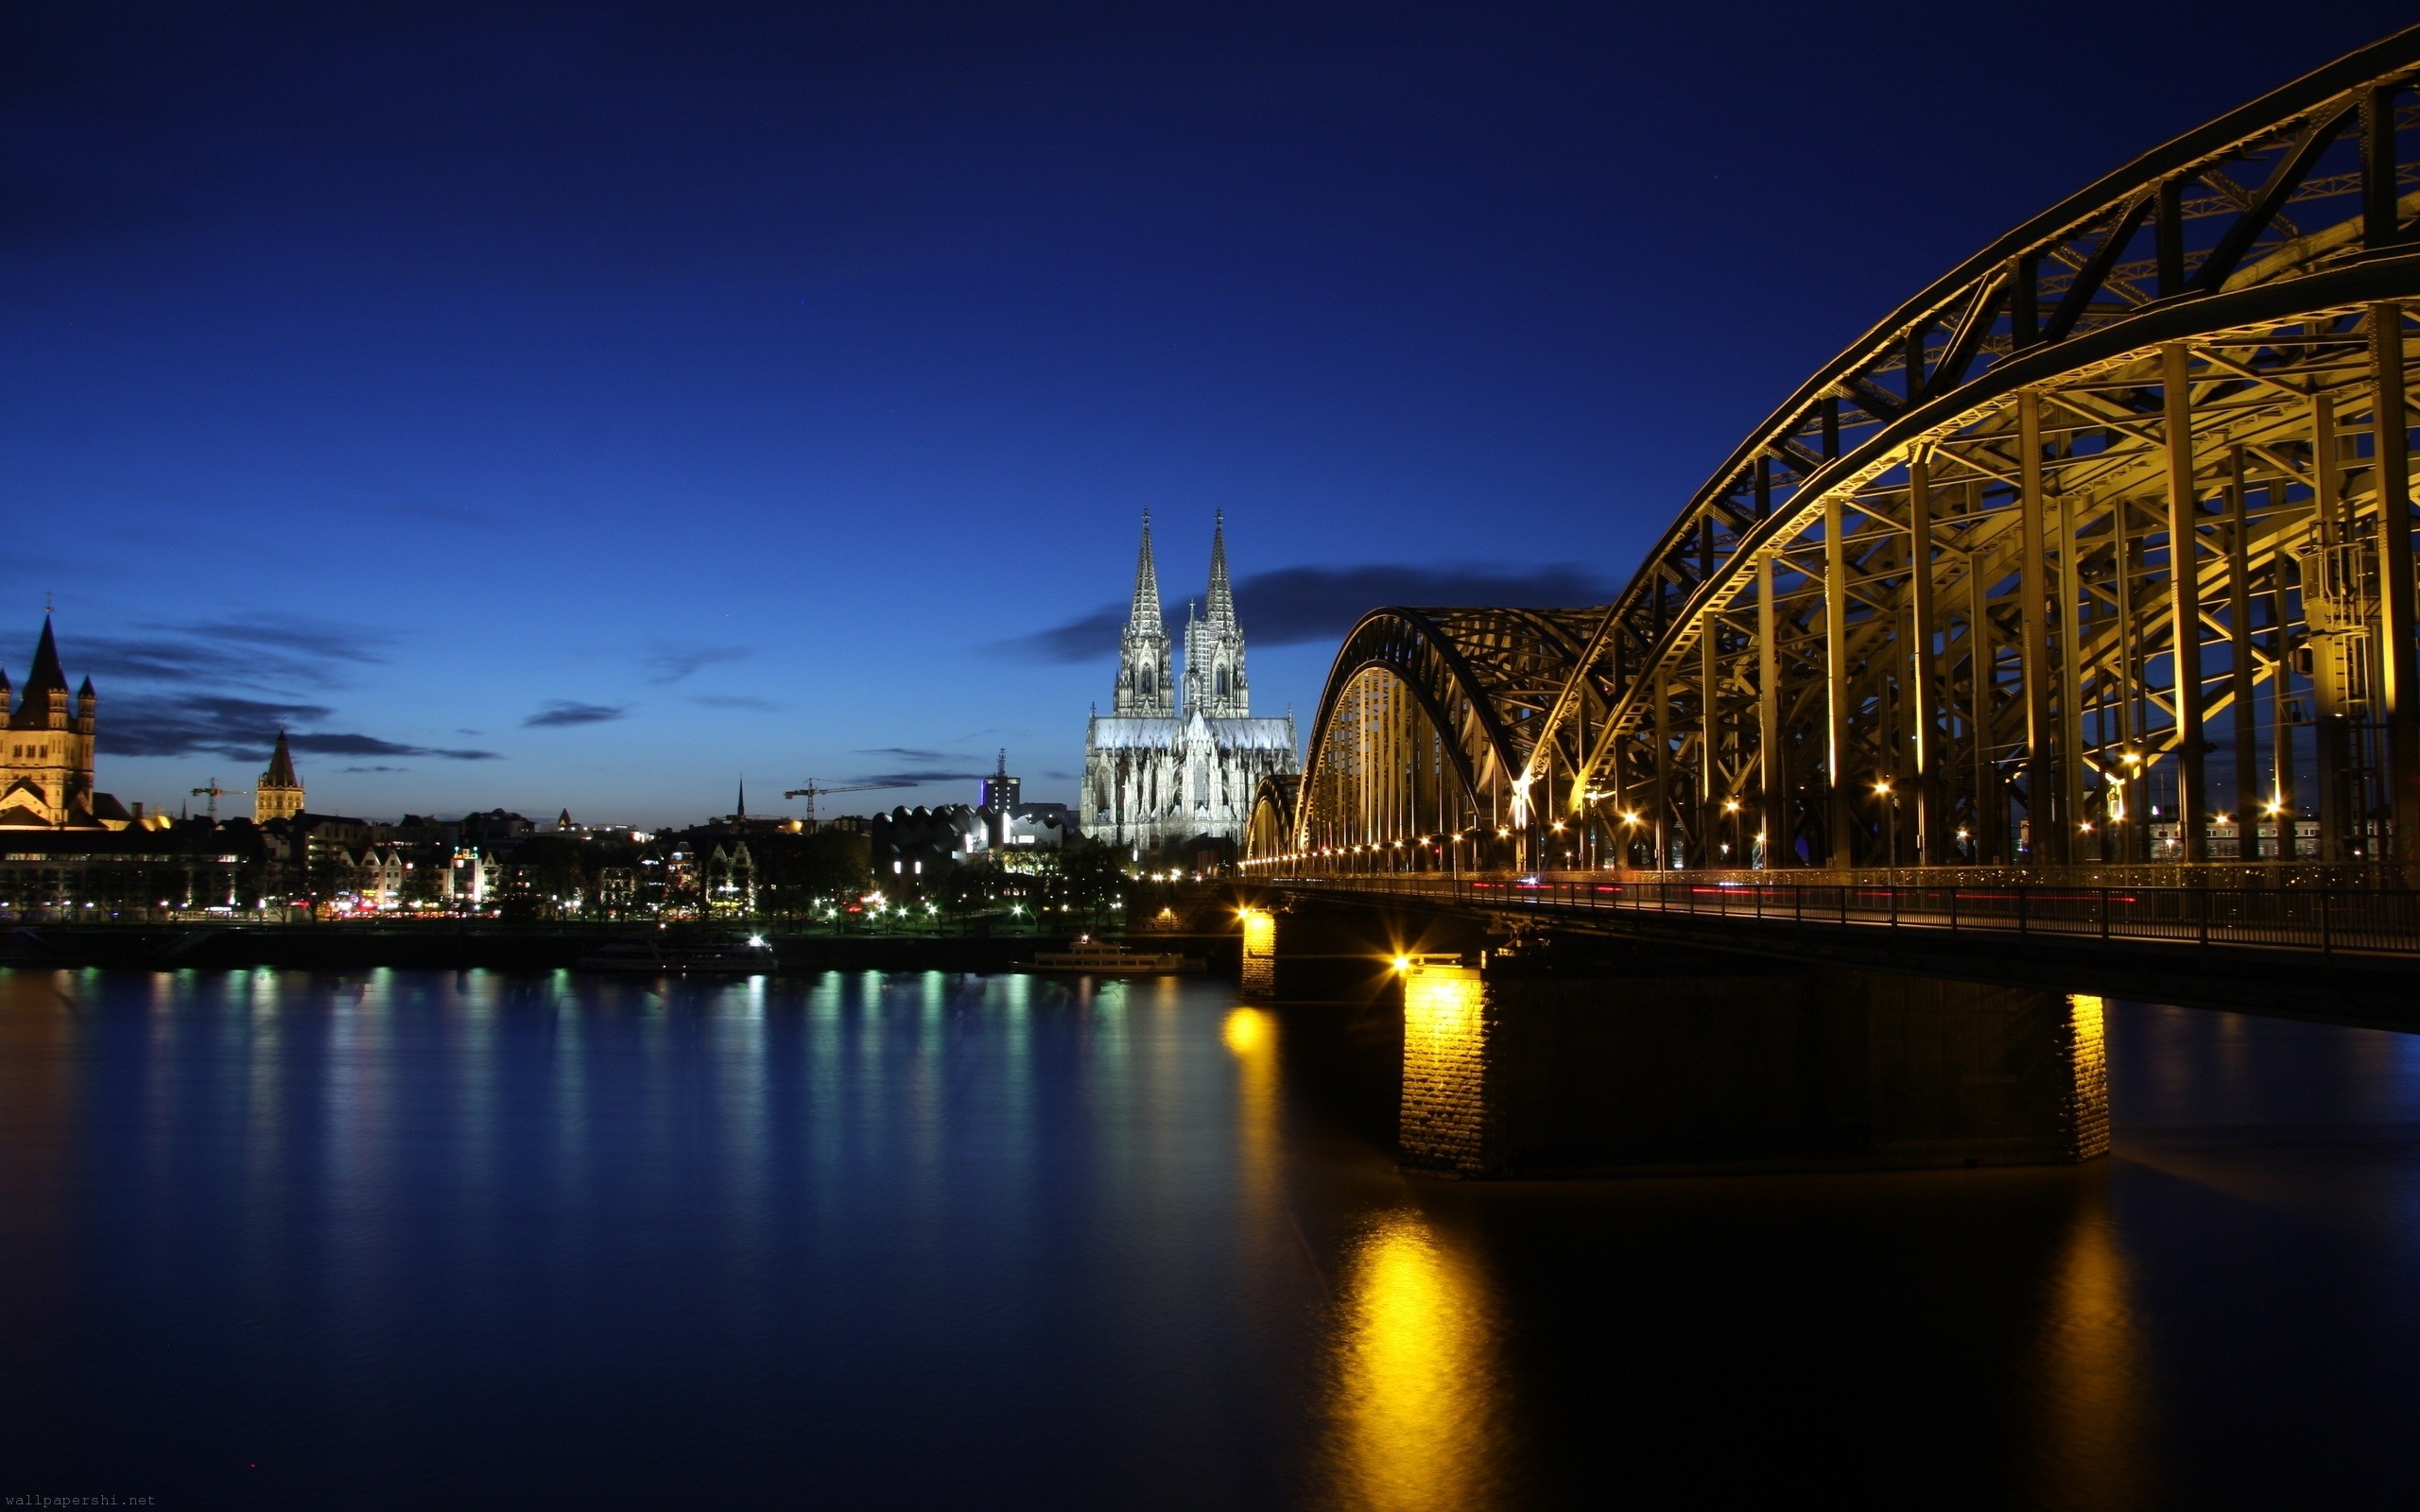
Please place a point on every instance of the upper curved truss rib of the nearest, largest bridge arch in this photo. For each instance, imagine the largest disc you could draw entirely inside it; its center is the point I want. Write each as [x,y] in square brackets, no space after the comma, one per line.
[2029,294]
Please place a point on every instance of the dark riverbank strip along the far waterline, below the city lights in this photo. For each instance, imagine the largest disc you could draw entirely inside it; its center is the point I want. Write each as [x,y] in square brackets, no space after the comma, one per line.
[476,945]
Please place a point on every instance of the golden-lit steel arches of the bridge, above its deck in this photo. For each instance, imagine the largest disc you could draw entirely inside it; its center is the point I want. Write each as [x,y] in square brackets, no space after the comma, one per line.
[2092,553]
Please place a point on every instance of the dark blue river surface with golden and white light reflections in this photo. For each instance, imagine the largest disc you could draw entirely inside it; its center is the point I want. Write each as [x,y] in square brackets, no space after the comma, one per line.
[427,1240]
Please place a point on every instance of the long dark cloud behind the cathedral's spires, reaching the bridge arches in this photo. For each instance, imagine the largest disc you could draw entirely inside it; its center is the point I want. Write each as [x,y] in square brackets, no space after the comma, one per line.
[1296,606]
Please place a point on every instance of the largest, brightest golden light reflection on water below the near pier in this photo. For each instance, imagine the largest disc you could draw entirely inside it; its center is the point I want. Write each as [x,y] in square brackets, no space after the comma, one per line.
[1417,1375]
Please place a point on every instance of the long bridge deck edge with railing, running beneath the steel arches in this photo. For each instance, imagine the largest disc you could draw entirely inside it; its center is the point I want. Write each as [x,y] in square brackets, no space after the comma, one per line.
[2322,921]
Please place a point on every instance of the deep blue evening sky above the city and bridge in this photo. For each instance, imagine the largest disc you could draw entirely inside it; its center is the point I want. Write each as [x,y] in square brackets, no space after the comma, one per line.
[592,405]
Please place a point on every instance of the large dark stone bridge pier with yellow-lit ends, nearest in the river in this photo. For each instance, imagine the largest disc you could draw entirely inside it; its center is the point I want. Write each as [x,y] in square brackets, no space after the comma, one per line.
[1688,1063]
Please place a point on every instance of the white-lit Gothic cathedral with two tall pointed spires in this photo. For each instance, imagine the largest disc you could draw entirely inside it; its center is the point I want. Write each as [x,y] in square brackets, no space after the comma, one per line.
[1175,763]
